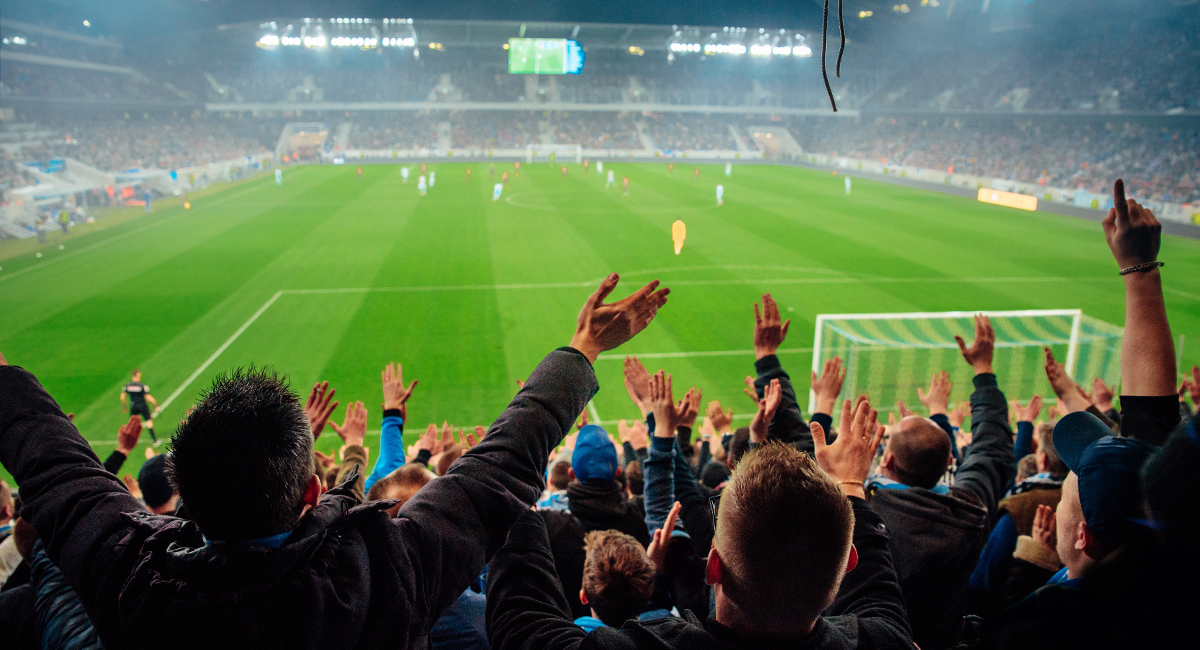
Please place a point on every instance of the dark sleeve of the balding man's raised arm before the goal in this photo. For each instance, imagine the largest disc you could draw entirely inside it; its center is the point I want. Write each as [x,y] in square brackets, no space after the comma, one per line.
[988,467]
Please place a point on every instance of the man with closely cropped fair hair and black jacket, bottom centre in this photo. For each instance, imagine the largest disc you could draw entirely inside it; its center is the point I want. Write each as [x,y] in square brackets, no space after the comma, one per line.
[781,558]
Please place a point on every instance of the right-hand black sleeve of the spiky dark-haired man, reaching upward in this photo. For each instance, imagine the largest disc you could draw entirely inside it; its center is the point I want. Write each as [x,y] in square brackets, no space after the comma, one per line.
[449,529]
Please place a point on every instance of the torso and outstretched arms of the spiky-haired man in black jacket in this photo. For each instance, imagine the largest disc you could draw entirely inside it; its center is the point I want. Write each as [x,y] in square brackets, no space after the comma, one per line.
[341,576]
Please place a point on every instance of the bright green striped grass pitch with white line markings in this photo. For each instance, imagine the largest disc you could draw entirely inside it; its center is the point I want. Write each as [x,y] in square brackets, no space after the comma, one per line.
[331,278]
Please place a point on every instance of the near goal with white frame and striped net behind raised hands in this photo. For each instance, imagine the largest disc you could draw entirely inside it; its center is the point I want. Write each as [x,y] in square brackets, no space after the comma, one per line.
[889,357]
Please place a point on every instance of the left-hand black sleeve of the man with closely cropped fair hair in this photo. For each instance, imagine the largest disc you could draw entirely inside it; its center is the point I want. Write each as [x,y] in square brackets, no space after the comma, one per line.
[526,606]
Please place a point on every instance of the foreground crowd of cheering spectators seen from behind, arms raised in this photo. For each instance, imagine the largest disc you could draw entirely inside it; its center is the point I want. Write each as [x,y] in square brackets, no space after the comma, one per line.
[941,529]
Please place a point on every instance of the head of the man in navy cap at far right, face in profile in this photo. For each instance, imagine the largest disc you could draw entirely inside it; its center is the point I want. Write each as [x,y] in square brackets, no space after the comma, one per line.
[1102,497]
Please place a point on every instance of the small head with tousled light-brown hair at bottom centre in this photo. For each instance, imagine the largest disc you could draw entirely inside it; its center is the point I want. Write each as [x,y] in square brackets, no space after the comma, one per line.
[617,577]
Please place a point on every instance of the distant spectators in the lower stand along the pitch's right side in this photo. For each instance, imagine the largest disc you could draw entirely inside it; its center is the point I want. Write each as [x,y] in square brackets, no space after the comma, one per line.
[1159,164]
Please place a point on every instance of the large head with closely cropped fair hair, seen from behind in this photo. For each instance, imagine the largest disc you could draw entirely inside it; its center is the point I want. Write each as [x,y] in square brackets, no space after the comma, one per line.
[783,544]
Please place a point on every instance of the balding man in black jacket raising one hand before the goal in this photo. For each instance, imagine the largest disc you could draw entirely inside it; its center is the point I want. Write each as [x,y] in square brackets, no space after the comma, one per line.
[937,532]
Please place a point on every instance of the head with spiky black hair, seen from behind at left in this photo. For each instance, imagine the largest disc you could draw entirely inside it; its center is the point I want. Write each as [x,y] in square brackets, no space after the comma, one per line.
[243,460]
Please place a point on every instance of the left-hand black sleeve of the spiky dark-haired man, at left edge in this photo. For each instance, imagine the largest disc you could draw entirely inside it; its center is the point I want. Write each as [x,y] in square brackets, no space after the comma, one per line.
[74,503]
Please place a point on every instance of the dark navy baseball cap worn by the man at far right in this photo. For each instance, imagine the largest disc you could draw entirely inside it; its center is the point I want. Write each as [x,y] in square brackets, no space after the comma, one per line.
[1109,476]
